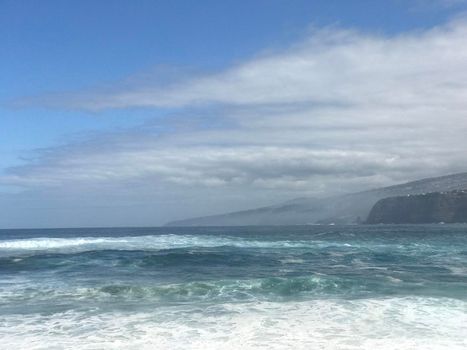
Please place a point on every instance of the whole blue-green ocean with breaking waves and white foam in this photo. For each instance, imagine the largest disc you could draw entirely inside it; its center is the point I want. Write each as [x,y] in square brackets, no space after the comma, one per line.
[295,287]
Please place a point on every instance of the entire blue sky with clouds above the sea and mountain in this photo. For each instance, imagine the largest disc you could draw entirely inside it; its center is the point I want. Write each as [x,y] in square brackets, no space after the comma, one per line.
[136,113]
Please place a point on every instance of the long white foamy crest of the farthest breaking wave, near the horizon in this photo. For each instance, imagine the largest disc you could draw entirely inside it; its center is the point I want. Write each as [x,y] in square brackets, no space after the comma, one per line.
[172,241]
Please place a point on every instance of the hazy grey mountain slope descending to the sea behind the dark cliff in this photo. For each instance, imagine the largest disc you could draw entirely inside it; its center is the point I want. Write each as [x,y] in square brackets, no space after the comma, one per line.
[346,209]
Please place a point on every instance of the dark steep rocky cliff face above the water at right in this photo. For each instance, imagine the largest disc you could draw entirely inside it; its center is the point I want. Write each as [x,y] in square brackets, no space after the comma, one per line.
[448,207]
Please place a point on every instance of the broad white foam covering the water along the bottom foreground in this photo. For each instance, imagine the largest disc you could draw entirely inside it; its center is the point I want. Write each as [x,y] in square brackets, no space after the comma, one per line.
[397,323]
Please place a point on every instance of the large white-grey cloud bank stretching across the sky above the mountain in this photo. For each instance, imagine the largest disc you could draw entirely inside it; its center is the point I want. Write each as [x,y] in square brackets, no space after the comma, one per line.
[338,112]
